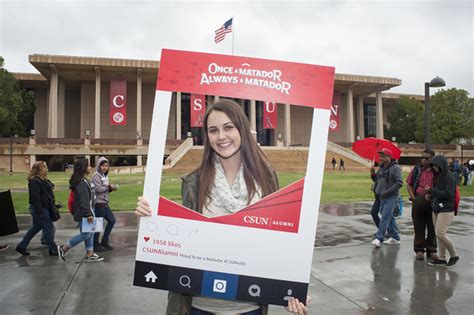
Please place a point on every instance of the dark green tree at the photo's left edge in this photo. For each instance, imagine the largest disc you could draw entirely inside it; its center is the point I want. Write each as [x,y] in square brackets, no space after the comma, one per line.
[16,105]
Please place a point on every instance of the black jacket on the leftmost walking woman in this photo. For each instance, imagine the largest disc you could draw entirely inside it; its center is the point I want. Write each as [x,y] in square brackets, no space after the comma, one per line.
[40,194]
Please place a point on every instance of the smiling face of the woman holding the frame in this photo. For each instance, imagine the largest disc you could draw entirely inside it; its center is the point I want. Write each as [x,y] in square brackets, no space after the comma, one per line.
[223,135]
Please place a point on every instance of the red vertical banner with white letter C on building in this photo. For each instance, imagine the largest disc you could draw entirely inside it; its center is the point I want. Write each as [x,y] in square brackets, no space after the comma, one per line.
[118,102]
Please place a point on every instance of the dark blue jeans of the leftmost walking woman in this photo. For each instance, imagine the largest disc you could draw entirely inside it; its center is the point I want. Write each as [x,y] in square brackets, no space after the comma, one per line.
[44,223]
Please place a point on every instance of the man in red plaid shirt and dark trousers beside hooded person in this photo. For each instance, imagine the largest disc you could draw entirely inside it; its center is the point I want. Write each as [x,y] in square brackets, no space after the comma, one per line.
[419,181]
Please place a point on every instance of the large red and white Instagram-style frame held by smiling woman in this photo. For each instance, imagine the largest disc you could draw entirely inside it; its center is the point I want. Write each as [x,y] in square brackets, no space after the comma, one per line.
[262,253]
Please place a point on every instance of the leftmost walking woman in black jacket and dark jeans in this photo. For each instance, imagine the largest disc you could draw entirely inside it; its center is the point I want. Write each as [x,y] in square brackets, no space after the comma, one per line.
[41,201]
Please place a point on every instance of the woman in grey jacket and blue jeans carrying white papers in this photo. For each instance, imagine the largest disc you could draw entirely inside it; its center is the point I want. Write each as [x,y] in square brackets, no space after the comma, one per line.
[82,208]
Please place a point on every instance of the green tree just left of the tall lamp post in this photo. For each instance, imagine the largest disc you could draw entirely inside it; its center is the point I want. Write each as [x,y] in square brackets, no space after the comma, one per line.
[405,122]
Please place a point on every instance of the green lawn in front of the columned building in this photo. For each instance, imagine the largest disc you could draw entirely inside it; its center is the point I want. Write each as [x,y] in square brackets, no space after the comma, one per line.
[337,187]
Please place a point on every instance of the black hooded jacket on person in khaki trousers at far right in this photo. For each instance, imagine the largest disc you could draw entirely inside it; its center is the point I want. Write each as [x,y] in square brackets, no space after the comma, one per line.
[444,186]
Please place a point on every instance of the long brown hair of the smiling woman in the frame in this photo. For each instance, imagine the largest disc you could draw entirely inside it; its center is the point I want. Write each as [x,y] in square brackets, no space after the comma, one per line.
[255,164]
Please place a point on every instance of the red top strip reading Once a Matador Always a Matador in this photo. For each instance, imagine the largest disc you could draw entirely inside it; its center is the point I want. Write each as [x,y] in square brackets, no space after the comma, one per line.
[246,78]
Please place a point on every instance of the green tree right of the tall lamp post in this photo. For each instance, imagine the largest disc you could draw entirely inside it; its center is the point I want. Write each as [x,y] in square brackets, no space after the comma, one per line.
[452,116]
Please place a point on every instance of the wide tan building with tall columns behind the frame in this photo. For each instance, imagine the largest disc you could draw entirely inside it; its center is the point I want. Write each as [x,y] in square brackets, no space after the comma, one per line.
[72,97]
